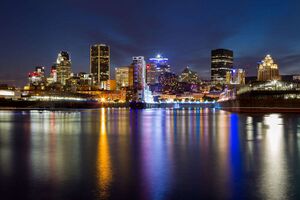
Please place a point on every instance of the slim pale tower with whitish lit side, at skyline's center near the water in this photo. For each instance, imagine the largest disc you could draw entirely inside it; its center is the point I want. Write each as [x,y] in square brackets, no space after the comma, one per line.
[139,72]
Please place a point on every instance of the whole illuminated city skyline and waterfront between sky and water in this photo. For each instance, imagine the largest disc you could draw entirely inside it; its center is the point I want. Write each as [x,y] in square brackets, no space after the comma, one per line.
[142,84]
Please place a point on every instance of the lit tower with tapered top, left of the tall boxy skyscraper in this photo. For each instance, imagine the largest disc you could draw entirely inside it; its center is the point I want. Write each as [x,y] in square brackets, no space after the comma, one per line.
[63,67]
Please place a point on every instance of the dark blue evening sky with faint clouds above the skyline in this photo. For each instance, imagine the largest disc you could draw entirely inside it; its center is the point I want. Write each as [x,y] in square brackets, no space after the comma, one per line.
[33,32]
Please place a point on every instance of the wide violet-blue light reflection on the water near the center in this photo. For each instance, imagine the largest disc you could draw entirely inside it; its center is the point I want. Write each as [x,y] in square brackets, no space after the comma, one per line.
[156,159]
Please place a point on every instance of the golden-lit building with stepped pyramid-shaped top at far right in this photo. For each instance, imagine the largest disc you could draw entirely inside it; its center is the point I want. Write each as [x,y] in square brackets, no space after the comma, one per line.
[267,70]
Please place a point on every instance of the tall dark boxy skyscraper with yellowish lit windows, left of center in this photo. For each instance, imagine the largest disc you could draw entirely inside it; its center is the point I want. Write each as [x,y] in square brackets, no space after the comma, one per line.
[100,64]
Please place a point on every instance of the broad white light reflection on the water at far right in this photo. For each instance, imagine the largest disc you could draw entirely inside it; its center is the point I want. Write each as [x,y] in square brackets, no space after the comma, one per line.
[274,173]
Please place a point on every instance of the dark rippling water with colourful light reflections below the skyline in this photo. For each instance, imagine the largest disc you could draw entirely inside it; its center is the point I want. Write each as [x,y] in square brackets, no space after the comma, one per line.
[149,154]
